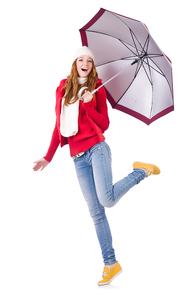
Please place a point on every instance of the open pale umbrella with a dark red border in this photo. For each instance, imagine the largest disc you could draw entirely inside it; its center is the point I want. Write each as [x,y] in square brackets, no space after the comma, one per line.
[139,73]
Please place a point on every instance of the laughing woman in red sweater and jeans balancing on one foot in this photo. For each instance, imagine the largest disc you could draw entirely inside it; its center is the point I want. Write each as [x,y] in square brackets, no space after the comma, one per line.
[81,124]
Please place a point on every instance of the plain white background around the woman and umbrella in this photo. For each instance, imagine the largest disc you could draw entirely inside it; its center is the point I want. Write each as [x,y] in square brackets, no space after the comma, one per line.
[48,243]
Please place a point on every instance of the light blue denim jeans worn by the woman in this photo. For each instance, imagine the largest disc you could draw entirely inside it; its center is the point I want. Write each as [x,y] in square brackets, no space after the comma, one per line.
[95,178]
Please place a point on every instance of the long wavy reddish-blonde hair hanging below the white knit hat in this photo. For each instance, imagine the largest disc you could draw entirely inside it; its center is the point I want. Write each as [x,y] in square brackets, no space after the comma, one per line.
[72,87]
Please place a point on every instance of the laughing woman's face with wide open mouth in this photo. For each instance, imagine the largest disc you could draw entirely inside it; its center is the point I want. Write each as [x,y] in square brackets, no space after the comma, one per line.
[84,66]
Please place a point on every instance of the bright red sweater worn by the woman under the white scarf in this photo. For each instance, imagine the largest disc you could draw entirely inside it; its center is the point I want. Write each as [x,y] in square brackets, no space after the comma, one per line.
[92,122]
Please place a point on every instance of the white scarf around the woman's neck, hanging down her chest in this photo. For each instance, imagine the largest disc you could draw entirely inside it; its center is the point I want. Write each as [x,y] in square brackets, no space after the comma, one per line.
[69,116]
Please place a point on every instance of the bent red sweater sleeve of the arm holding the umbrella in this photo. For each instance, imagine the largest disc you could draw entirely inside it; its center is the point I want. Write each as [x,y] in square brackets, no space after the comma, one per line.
[100,114]
